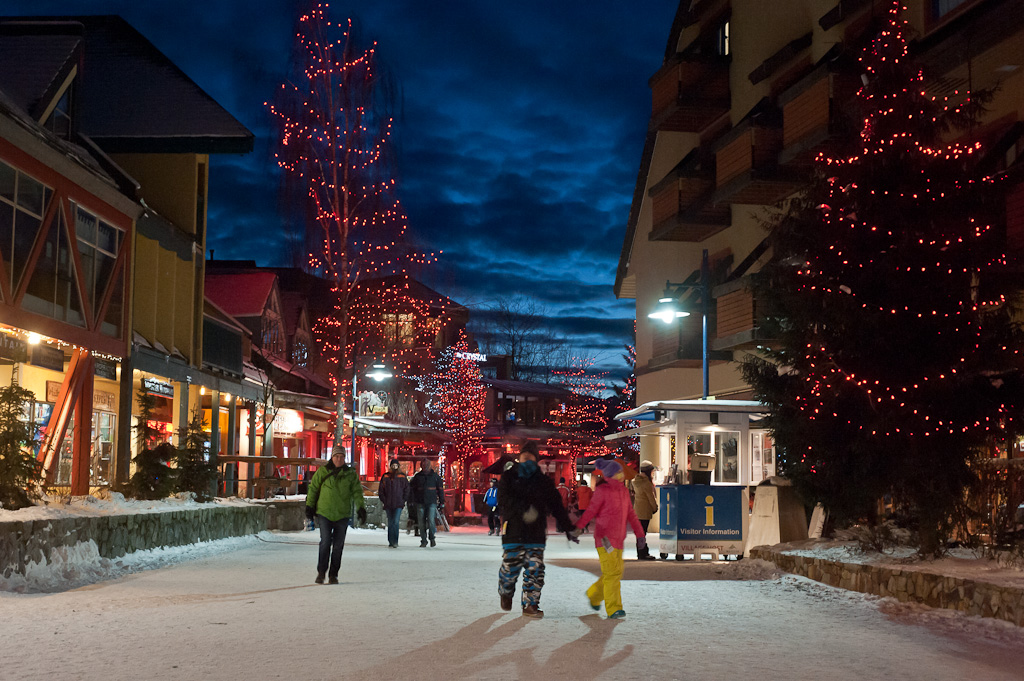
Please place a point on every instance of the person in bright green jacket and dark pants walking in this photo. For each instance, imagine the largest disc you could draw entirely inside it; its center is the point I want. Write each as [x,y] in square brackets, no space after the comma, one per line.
[334,490]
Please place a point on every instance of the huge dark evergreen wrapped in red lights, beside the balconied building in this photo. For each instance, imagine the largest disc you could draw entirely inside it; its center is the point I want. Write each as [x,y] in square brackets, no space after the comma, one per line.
[894,364]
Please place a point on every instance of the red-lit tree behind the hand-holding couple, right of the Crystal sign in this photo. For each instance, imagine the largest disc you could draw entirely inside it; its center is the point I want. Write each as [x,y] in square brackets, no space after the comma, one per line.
[581,417]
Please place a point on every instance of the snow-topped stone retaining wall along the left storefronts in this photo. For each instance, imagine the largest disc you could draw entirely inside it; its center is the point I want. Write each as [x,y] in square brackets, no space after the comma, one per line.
[32,541]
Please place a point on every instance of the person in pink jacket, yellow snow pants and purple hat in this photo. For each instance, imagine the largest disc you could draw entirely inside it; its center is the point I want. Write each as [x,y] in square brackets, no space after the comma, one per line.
[612,512]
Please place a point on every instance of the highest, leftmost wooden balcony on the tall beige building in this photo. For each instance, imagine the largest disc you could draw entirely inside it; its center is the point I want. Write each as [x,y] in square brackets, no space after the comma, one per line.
[691,94]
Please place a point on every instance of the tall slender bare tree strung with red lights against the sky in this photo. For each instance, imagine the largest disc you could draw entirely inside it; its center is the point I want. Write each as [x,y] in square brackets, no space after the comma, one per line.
[335,134]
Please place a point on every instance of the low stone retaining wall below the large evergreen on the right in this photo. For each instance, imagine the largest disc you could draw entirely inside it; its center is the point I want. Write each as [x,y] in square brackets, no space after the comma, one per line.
[970,597]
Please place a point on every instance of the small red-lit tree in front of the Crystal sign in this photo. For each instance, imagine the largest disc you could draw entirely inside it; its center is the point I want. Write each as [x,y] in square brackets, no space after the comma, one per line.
[456,402]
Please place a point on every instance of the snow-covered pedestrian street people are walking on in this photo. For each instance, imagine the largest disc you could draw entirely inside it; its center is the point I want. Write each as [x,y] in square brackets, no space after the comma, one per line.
[247,609]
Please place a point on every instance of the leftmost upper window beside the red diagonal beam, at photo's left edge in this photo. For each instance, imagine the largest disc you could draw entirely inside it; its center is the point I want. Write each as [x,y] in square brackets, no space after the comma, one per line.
[23,202]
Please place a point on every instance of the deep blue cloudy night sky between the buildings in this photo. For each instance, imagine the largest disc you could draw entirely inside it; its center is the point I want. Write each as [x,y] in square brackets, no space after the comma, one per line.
[520,133]
